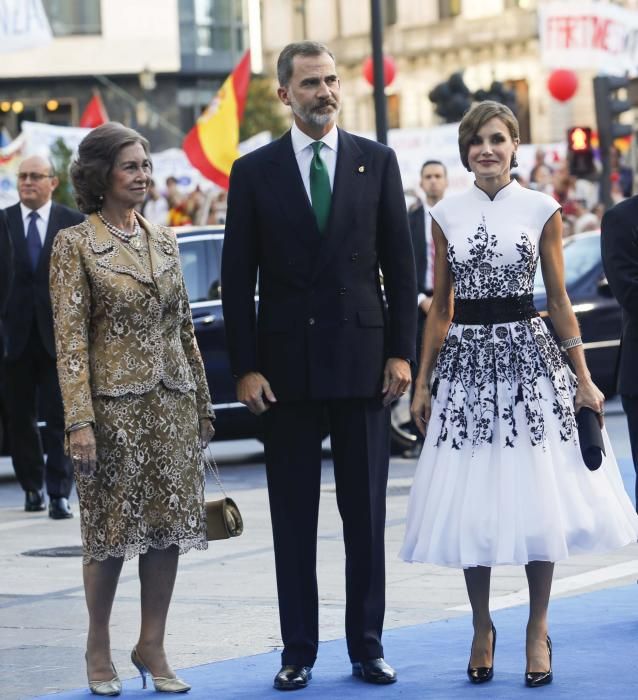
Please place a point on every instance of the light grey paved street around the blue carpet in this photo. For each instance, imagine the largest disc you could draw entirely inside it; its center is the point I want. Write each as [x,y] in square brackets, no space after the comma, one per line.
[225,601]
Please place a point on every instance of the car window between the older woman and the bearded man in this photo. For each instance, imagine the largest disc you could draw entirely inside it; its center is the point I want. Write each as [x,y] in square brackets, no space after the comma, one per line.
[201,266]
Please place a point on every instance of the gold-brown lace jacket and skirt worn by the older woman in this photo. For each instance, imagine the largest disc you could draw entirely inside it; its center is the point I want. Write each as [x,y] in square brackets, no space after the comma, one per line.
[128,362]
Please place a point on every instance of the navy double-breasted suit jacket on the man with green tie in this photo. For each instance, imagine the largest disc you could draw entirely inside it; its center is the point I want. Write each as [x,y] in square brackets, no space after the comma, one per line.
[323,328]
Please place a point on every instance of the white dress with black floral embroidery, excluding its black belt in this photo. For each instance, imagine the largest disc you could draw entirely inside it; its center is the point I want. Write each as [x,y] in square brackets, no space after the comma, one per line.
[501,479]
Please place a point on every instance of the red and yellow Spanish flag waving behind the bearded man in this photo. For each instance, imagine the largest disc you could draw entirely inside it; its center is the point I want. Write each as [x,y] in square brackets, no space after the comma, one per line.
[211,145]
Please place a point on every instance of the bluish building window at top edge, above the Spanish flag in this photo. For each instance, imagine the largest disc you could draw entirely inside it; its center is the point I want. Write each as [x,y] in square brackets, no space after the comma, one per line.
[218,26]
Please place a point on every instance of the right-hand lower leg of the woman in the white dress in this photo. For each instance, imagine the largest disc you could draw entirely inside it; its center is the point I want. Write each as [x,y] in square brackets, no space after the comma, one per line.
[539,579]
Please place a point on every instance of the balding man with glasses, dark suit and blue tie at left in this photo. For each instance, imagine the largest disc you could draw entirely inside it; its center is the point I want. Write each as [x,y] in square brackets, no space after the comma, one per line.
[31,381]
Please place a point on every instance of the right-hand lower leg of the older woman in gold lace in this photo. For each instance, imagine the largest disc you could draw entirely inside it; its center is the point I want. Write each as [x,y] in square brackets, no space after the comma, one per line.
[158,569]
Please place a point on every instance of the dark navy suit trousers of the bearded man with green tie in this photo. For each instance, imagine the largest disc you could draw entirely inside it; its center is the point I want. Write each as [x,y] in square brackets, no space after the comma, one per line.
[360,439]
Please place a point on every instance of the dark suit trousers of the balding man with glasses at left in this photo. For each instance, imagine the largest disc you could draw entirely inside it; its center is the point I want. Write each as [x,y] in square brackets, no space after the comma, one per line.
[31,387]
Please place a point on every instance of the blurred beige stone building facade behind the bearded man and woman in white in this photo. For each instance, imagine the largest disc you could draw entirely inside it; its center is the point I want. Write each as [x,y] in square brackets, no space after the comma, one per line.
[490,40]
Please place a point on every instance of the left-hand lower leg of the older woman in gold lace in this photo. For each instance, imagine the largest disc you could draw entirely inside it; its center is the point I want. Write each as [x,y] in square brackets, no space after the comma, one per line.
[100,584]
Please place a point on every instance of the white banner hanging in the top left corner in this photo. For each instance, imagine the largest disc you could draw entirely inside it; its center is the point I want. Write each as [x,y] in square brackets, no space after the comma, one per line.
[23,25]
